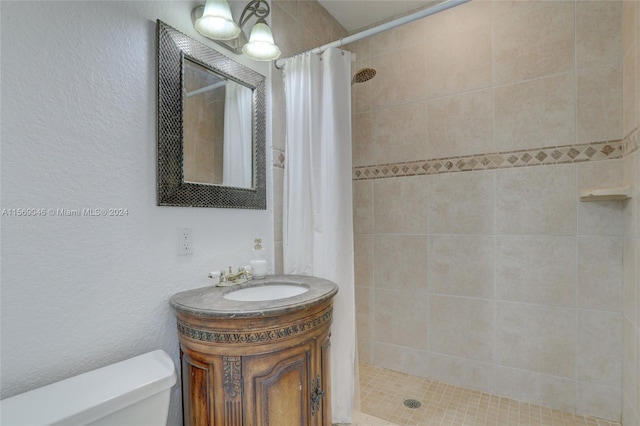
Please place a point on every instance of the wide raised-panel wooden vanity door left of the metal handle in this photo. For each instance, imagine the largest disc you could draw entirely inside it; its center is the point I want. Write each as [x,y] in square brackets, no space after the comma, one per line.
[277,387]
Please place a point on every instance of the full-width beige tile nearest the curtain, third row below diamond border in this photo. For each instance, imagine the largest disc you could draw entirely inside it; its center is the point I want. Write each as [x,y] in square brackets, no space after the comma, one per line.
[394,311]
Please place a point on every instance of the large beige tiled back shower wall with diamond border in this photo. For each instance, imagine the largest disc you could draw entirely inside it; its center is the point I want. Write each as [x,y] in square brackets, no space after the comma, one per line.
[494,276]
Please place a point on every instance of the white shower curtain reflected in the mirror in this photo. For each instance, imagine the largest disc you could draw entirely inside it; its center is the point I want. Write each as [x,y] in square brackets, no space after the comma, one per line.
[237,154]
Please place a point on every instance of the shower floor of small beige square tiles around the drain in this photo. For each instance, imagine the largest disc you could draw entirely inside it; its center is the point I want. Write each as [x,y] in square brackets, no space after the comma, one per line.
[382,393]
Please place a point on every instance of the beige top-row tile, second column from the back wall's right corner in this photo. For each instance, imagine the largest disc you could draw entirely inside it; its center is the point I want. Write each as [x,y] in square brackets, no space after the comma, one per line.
[532,39]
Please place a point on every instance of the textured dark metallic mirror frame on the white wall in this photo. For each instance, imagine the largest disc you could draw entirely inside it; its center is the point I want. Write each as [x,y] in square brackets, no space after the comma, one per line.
[172,190]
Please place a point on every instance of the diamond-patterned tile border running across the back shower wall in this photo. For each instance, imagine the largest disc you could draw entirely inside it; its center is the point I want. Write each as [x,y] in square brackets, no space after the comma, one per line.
[501,160]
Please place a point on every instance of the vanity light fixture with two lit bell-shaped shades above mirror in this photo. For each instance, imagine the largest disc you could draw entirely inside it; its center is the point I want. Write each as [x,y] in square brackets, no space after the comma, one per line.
[214,21]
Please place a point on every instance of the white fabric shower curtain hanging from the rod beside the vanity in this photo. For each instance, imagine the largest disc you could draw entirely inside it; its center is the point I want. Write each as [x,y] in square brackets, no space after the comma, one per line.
[318,219]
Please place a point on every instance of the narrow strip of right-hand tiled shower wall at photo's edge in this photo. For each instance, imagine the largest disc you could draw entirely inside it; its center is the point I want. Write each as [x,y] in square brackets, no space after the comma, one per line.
[631,220]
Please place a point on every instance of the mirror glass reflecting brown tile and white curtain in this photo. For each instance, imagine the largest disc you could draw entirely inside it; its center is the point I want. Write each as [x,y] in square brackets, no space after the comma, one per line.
[217,147]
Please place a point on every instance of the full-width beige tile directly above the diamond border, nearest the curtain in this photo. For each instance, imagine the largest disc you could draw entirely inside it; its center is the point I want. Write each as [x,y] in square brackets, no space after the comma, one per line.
[399,133]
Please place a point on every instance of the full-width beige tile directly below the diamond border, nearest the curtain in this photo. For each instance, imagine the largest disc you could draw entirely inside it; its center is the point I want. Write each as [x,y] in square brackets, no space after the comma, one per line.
[400,205]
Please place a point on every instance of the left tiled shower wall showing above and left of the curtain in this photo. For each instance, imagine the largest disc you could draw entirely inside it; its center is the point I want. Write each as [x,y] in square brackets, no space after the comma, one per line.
[298,25]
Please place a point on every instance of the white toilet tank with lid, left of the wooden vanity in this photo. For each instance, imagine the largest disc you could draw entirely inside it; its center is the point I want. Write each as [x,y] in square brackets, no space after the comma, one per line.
[135,391]
